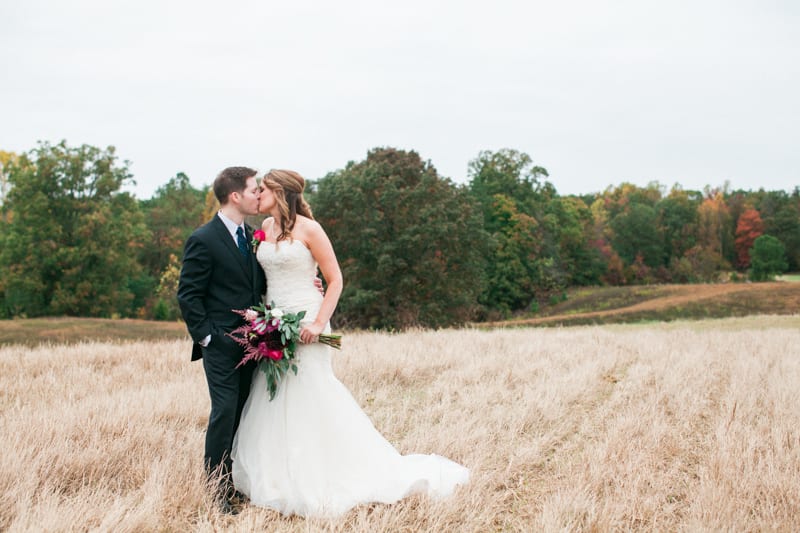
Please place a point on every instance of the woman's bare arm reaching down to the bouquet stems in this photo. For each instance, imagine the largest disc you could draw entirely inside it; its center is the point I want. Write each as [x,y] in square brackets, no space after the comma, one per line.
[322,251]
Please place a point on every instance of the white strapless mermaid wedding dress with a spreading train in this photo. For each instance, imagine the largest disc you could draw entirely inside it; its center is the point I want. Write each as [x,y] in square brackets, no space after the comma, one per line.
[312,451]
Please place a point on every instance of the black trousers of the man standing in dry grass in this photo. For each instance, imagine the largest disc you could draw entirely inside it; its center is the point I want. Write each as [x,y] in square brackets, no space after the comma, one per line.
[228,388]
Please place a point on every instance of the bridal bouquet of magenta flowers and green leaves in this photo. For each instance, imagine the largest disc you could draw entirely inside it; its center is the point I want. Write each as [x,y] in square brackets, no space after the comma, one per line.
[269,337]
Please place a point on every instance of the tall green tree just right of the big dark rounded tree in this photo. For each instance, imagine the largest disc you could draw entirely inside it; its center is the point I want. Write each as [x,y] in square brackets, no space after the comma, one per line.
[530,256]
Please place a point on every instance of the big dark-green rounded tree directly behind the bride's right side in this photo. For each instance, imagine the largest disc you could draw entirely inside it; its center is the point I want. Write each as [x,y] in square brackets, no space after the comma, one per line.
[409,242]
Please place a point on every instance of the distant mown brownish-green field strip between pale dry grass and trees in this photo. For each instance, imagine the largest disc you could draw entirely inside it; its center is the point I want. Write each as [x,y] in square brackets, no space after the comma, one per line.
[581,306]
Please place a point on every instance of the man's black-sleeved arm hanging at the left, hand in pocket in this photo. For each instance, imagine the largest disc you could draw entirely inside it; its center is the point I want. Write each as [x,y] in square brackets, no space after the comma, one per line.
[193,287]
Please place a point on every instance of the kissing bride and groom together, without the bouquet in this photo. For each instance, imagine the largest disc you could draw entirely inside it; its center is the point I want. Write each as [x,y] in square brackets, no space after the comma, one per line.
[311,450]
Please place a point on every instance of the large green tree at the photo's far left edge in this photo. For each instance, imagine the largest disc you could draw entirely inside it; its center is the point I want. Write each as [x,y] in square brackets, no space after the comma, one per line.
[71,247]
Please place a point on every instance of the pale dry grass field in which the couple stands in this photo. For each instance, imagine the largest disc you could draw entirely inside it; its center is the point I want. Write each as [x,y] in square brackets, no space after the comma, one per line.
[686,426]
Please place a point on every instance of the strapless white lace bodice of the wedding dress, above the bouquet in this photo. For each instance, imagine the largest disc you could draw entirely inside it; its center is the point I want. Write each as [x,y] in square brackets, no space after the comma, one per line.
[290,270]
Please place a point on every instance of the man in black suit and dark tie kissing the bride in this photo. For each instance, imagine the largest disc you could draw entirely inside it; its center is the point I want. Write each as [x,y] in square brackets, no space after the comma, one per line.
[219,274]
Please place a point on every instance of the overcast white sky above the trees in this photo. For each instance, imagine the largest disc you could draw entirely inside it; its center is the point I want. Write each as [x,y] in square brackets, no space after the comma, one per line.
[597,92]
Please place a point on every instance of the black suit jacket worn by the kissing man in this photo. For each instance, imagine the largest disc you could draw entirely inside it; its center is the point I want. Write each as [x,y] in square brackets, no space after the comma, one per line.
[215,279]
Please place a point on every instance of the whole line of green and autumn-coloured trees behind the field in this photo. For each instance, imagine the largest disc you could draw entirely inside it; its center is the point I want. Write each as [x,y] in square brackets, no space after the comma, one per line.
[415,247]
